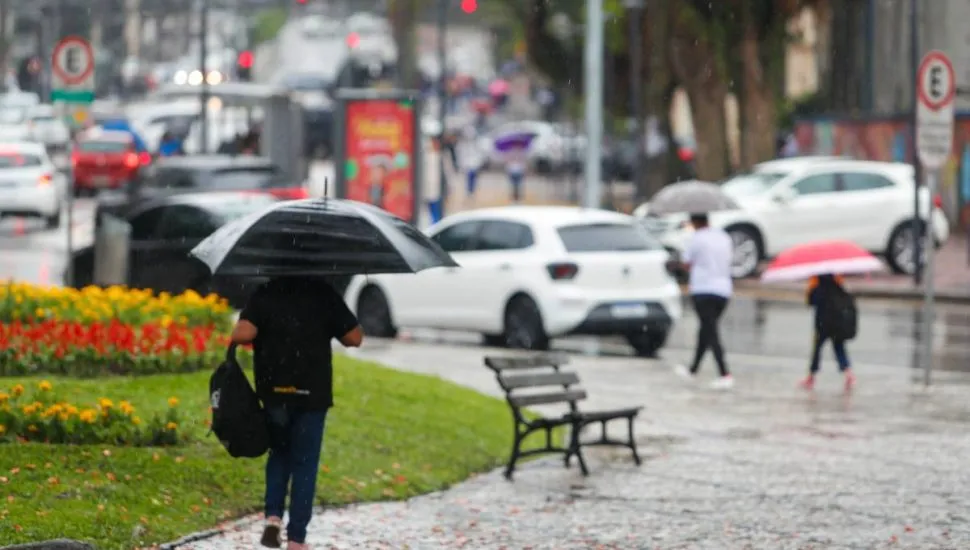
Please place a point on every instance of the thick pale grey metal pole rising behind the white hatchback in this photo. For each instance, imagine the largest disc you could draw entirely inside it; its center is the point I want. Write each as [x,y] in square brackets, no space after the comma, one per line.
[593,87]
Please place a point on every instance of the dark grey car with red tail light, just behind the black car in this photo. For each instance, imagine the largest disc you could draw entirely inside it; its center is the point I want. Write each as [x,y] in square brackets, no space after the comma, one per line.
[185,174]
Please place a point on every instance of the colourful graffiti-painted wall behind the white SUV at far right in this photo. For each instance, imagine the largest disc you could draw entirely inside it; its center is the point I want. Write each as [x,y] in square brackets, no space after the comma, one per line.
[888,139]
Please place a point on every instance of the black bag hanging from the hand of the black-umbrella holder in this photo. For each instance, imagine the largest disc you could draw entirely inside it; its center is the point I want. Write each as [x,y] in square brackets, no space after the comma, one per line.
[238,419]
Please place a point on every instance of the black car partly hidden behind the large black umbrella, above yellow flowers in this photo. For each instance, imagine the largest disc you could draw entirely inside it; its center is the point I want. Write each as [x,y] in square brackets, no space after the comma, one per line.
[164,230]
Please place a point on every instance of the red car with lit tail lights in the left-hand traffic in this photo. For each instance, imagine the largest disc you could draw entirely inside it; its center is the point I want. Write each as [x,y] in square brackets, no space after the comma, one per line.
[106,160]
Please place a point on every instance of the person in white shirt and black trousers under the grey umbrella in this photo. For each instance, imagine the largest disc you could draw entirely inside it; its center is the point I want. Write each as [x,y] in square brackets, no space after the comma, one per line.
[708,257]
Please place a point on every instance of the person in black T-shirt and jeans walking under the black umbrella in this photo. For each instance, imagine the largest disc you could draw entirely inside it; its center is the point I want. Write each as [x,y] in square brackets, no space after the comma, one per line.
[290,323]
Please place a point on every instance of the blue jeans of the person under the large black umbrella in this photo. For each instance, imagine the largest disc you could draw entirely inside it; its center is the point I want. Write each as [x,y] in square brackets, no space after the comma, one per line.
[294,456]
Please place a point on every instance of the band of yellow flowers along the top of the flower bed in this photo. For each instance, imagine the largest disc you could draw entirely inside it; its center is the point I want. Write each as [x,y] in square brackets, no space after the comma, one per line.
[31,304]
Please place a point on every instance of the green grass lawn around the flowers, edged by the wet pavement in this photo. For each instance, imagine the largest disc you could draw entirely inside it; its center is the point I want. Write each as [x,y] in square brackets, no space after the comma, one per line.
[391,435]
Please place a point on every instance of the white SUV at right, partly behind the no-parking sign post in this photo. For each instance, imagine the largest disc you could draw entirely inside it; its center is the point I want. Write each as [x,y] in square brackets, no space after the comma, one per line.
[789,202]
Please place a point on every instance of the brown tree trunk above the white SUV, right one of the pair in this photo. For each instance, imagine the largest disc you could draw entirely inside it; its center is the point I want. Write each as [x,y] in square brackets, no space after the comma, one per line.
[758,117]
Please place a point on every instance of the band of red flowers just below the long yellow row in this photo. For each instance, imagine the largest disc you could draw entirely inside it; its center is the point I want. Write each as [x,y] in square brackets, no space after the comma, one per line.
[85,350]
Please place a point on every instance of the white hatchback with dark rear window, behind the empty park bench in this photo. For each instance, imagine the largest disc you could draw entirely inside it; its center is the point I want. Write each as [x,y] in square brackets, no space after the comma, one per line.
[529,274]
